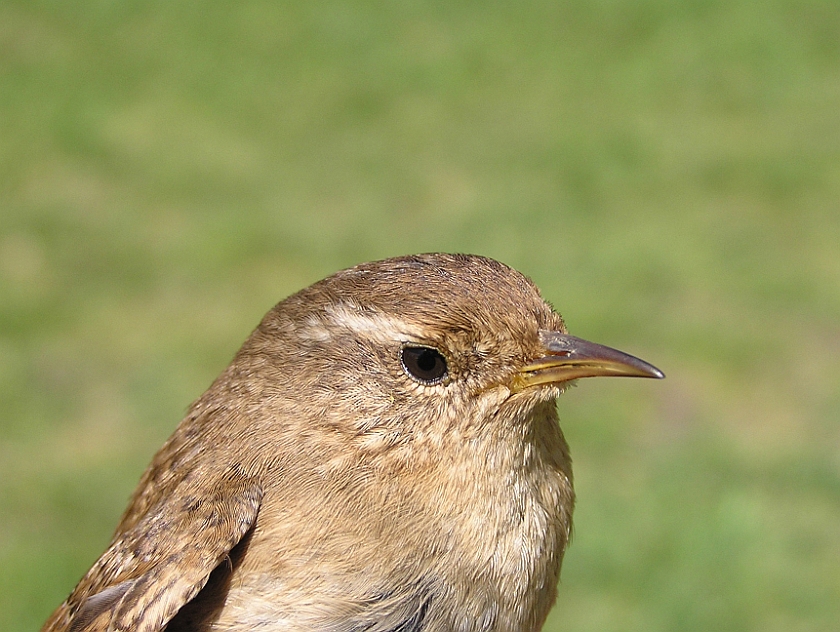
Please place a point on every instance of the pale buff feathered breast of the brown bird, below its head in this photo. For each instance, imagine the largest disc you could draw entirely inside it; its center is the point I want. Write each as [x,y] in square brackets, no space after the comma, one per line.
[472,542]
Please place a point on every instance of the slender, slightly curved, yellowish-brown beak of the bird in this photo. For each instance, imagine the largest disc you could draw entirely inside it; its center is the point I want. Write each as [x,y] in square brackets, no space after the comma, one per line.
[569,358]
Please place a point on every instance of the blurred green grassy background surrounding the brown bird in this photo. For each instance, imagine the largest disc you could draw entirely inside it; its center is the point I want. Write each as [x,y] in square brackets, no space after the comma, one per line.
[667,172]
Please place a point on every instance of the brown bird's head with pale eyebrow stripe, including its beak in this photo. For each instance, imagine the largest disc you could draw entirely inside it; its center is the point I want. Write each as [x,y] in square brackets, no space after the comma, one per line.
[427,344]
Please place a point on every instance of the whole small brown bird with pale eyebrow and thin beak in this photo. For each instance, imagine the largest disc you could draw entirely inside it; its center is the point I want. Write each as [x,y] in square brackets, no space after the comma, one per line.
[382,455]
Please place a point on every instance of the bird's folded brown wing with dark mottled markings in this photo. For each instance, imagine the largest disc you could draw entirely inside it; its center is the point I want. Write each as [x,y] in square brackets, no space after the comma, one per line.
[161,562]
